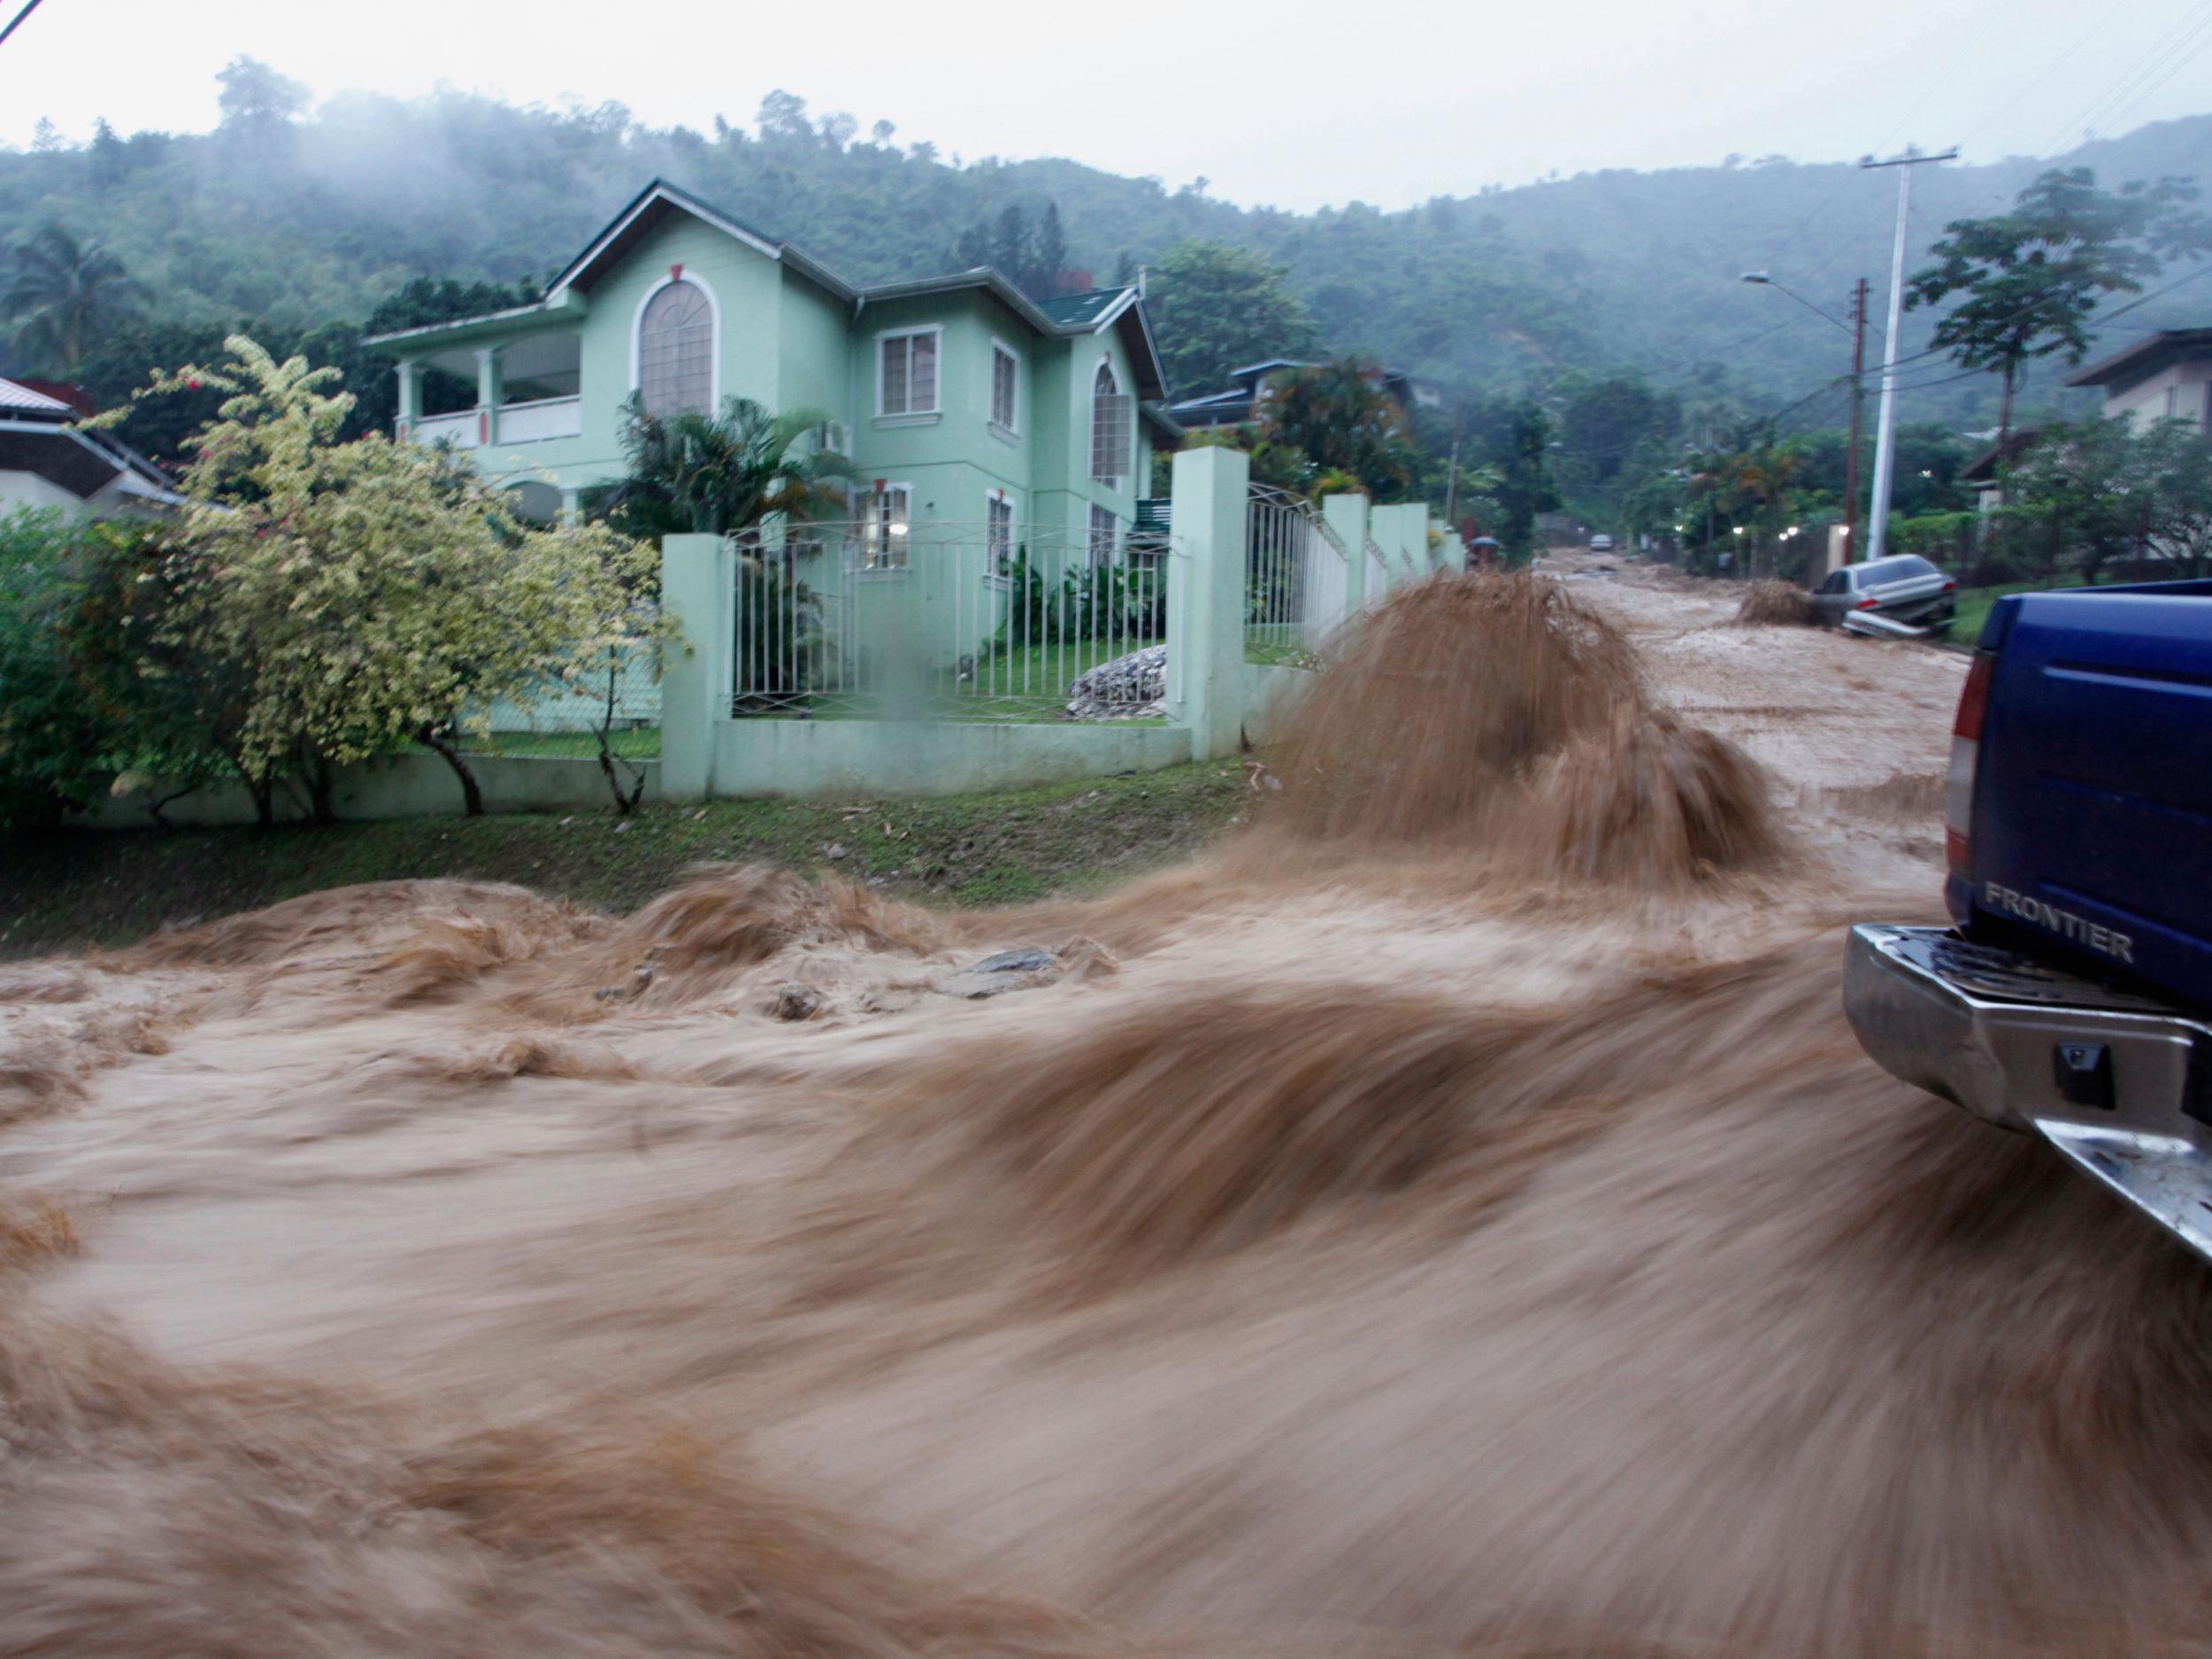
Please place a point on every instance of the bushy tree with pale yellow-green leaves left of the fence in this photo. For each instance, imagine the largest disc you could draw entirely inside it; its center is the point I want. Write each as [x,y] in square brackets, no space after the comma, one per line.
[362,596]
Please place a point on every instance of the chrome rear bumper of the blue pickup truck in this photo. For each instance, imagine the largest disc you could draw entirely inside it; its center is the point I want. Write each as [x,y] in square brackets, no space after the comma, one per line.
[2118,1083]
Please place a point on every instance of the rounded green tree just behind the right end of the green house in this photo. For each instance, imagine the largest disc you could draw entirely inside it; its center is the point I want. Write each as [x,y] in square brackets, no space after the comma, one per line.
[1218,309]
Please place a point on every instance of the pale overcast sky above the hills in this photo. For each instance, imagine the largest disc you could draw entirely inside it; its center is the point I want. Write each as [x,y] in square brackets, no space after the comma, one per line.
[1291,103]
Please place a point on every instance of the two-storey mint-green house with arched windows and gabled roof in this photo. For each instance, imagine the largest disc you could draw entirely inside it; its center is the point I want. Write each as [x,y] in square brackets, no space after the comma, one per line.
[959,399]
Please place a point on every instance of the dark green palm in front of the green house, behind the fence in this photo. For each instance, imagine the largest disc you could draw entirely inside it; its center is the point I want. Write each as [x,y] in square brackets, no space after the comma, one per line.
[729,472]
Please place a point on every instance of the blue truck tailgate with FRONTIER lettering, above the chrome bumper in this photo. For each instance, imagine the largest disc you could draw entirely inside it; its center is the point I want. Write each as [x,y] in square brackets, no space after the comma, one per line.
[2094,802]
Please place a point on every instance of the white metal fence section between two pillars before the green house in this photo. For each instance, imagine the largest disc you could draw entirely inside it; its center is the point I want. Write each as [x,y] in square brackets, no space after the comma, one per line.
[950,620]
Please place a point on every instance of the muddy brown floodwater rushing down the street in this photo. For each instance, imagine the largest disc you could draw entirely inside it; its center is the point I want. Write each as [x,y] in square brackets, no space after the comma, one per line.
[1450,1218]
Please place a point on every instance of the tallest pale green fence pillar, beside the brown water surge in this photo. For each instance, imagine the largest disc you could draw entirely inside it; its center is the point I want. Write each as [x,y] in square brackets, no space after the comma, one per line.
[1207,583]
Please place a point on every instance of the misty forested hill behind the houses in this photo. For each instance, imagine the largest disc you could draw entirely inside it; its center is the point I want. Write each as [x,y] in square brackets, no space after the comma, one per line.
[306,220]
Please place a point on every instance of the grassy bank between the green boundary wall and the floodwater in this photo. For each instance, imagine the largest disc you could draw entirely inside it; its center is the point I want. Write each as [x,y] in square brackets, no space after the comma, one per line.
[963,851]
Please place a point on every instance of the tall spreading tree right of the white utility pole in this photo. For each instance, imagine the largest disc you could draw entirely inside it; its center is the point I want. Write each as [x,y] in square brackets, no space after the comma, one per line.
[2036,275]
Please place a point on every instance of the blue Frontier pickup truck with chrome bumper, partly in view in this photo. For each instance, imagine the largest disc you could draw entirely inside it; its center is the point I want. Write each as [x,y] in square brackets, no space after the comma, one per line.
[2074,994]
